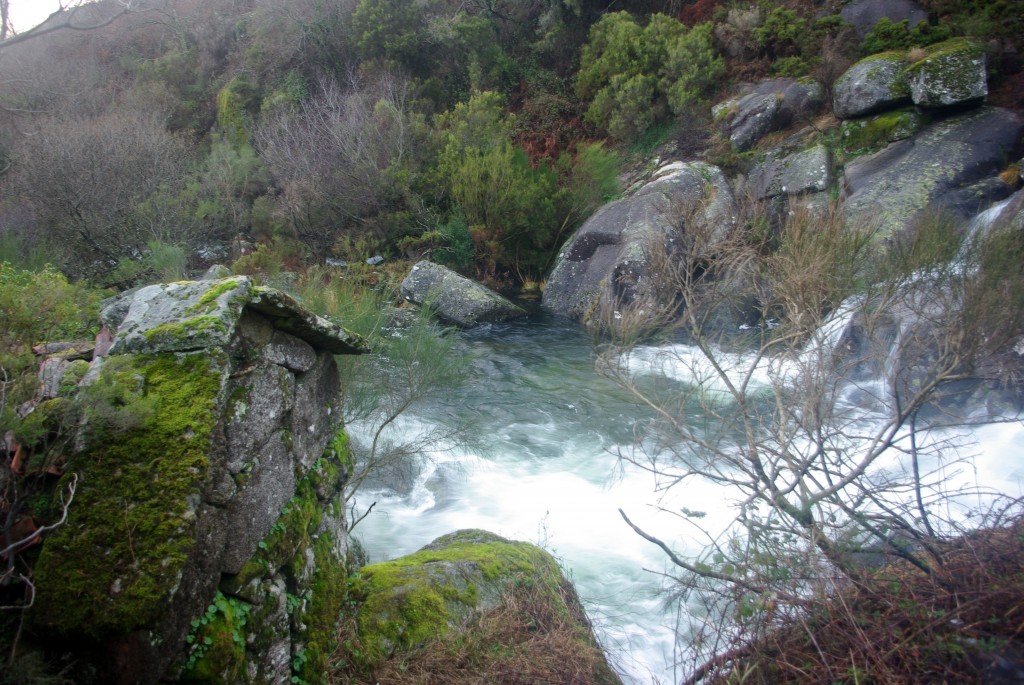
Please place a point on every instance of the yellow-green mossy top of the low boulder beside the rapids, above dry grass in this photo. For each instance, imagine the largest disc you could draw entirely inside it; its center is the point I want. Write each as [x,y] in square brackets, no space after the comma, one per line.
[439,594]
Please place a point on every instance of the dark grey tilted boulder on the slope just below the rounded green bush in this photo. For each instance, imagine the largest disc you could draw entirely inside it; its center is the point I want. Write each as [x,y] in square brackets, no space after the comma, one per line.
[770,106]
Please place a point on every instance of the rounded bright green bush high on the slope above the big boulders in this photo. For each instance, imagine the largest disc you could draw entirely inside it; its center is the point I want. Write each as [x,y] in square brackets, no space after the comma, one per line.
[633,76]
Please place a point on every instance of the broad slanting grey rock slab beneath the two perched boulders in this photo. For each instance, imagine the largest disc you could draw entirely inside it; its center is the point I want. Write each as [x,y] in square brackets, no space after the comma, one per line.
[950,164]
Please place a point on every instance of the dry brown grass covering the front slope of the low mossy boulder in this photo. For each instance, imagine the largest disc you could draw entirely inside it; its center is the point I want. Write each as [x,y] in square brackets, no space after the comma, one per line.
[536,637]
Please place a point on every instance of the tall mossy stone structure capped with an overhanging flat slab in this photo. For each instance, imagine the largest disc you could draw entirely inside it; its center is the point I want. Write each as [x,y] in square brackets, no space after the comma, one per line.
[209,453]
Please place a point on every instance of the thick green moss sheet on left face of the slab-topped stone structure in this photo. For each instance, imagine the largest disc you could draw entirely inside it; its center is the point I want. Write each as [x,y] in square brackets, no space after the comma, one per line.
[116,565]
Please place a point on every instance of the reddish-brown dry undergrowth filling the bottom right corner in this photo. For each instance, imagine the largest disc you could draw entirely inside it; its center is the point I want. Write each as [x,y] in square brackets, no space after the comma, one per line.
[963,624]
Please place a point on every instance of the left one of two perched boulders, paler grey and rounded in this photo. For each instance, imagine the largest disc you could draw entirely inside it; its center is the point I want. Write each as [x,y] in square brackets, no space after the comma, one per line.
[873,84]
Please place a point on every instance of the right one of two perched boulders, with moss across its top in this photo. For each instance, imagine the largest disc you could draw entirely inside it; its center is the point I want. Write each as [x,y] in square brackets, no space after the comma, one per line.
[952,73]
